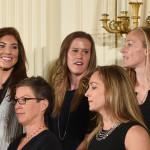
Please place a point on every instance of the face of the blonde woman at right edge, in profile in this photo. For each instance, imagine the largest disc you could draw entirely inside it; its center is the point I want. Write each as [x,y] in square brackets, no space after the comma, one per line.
[134,53]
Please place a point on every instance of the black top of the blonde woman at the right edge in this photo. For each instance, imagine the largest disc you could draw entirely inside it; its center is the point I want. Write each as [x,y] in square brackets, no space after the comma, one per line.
[145,109]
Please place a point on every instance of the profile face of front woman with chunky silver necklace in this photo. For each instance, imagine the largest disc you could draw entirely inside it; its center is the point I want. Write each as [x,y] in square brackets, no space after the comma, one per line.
[96,93]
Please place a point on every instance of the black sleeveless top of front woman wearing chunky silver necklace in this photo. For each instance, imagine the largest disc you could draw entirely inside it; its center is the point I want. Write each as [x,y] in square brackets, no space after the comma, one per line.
[115,141]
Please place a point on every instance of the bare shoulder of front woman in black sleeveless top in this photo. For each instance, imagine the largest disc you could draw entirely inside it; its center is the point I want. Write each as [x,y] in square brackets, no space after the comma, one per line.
[137,138]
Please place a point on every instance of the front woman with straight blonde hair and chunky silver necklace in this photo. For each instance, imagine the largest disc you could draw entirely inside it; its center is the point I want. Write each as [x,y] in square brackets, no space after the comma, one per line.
[120,125]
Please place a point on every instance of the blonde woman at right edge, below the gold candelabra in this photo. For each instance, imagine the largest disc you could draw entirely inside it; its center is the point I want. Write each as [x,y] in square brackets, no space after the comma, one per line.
[136,57]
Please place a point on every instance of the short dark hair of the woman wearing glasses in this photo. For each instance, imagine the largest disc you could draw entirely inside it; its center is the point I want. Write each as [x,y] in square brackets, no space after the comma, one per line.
[40,87]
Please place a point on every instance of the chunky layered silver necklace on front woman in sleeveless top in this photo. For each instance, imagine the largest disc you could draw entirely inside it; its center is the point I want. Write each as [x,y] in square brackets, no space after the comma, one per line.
[101,135]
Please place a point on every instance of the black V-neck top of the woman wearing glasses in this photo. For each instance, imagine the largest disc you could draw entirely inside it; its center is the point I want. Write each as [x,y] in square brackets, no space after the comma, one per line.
[45,140]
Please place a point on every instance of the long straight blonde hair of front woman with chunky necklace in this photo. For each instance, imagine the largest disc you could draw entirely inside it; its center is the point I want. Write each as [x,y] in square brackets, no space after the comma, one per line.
[121,102]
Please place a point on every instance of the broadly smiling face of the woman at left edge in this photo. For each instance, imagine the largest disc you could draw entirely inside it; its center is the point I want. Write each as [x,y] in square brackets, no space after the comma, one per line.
[8,52]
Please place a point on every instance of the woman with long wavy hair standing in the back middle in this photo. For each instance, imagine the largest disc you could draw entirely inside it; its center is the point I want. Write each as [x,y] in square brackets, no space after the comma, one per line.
[70,112]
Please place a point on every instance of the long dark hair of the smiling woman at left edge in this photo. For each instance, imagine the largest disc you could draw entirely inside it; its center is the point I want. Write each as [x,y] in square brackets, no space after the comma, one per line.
[19,70]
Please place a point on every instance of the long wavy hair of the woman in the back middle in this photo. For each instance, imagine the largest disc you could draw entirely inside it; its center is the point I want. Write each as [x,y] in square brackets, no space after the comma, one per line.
[61,76]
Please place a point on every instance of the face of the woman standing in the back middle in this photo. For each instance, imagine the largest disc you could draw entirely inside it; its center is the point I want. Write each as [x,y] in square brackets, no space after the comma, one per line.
[78,56]
